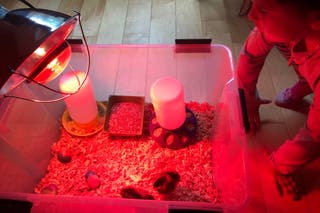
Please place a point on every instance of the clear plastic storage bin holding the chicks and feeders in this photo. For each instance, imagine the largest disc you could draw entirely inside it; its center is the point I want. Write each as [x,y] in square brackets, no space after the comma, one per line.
[27,130]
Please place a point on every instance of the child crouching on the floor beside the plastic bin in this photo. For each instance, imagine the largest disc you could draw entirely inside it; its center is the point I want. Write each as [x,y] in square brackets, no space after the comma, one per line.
[292,26]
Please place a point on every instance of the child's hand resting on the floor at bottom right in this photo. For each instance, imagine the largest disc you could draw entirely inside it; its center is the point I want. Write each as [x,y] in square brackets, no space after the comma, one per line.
[289,184]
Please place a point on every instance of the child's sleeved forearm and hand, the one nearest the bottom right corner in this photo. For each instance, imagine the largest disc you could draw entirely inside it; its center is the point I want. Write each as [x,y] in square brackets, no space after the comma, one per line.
[289,158]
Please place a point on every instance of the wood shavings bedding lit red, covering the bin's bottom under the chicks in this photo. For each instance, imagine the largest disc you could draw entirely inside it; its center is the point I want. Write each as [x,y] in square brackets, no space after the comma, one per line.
[137,162]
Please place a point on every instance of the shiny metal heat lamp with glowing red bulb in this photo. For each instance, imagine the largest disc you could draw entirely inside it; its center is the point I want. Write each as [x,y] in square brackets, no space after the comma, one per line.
[34,47]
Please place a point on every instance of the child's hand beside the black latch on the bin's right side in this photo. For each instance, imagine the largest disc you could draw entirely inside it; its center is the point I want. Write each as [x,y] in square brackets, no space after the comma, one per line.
[253,102]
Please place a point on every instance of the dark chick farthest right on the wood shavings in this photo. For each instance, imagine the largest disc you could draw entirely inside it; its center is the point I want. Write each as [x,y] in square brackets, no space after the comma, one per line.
[167,182]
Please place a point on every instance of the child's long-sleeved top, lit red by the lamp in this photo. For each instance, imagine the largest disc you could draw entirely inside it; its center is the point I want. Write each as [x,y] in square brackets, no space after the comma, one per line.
[305,146]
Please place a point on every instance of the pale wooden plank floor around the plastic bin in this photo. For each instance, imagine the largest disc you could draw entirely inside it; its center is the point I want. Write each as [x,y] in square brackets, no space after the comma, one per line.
[160,22]
